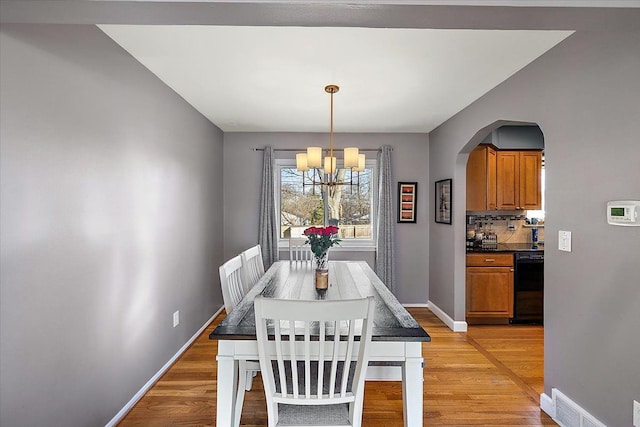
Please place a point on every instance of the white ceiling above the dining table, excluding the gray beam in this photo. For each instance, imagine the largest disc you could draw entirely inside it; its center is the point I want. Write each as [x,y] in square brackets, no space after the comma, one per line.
[273,78]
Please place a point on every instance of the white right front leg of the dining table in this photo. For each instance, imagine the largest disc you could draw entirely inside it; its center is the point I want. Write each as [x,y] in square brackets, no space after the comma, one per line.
[412,387]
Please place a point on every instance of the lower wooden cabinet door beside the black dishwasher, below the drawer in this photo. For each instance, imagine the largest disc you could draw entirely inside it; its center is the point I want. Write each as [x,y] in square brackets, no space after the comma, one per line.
[490,292]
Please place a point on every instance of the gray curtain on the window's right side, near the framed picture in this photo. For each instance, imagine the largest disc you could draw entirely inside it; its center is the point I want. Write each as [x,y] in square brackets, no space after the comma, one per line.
[385,252]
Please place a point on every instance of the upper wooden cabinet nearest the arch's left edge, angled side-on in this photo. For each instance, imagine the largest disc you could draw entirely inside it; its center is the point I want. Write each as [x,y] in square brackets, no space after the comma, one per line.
[481,179]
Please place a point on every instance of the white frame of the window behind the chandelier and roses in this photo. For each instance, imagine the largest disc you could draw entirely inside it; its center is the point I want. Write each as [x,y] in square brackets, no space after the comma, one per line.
[345,244]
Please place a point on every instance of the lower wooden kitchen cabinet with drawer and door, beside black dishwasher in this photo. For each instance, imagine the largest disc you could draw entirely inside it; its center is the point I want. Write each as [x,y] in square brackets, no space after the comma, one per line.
[489,282]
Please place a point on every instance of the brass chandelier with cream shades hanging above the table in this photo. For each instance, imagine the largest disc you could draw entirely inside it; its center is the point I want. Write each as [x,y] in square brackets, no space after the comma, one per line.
[327,174]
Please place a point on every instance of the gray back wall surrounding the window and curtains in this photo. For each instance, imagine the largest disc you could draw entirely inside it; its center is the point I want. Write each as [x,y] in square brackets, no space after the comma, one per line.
[243,168]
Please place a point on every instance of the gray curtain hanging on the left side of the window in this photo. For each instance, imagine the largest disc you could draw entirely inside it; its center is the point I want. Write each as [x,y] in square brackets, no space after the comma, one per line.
[268,237]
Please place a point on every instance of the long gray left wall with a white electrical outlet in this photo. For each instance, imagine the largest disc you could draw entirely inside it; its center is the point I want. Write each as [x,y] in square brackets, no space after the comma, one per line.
[110,221]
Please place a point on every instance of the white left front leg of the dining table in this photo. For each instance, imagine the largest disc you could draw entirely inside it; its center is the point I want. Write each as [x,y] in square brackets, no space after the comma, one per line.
[227,385]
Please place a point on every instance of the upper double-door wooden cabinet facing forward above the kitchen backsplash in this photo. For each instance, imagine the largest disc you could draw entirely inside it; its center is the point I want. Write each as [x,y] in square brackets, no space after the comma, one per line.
[518,180]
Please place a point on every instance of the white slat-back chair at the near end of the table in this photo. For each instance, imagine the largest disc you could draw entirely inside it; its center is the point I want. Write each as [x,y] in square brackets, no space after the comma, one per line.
[319,381]
